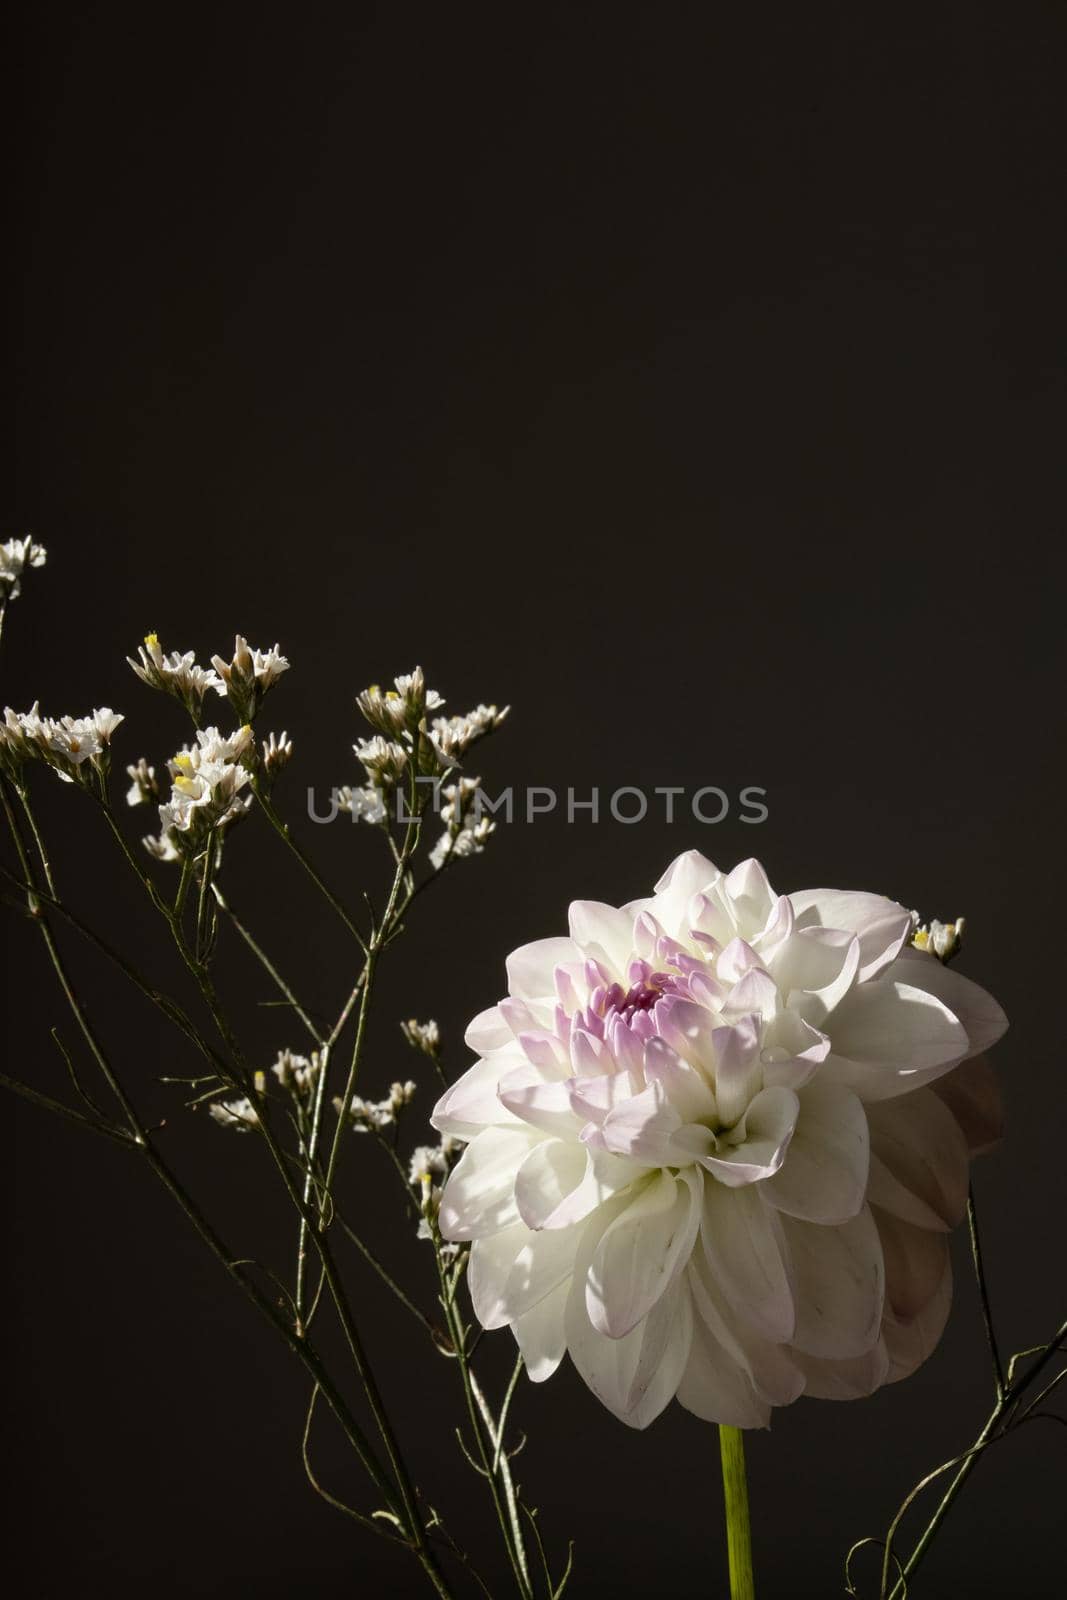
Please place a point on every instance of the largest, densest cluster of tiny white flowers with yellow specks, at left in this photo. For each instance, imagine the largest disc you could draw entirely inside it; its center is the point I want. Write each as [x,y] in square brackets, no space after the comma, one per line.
[206,791]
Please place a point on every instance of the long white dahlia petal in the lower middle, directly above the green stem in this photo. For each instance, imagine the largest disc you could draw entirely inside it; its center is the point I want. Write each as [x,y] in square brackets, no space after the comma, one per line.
[746,1257]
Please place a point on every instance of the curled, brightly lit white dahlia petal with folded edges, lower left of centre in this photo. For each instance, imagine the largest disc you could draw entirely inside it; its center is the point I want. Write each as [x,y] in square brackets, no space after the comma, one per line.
[641,1252]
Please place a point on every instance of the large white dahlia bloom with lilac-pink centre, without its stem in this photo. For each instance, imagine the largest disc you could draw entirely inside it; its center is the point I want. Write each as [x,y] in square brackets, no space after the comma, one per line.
[713,1151]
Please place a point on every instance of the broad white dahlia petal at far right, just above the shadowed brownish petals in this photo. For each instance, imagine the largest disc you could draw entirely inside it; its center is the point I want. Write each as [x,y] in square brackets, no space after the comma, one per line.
[890,1038]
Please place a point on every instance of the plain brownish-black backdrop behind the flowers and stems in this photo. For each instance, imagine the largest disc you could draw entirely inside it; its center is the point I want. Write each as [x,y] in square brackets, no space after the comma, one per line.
[690,378]
